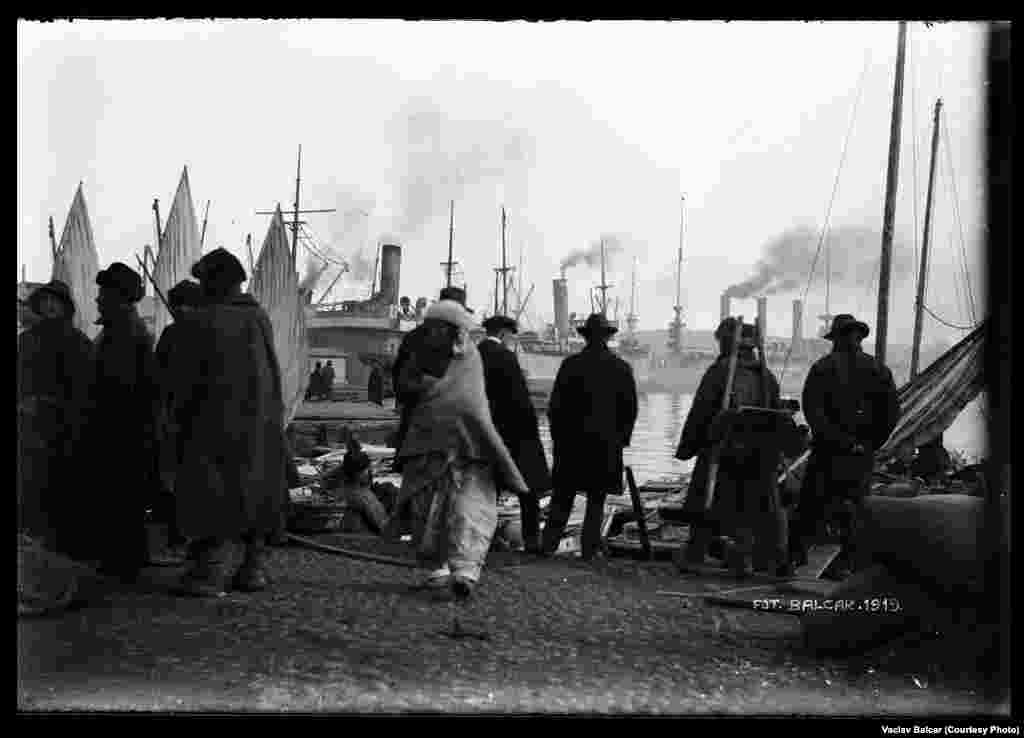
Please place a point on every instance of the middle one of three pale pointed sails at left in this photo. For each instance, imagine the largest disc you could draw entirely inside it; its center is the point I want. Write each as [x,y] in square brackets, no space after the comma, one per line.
[180,249]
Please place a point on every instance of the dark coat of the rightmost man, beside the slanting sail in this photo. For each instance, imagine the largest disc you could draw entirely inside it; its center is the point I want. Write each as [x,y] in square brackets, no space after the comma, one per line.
[849,398]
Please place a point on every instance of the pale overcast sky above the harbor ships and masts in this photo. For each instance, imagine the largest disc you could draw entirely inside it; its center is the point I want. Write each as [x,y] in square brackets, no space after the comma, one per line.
[579,129]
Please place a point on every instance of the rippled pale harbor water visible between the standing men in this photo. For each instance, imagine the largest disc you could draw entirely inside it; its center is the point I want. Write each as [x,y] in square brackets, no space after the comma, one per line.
[661,418]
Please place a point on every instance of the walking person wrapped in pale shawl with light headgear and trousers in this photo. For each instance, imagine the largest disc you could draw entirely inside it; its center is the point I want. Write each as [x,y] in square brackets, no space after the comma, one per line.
[453,456]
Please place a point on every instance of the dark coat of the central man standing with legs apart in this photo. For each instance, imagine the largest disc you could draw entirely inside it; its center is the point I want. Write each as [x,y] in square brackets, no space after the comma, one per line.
[591,413]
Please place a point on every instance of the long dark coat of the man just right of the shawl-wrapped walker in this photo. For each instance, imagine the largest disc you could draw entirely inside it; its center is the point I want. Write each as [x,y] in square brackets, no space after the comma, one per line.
[514,414]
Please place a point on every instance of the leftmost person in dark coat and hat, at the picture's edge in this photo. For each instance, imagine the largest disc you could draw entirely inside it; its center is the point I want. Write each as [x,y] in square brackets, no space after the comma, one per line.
[55,377]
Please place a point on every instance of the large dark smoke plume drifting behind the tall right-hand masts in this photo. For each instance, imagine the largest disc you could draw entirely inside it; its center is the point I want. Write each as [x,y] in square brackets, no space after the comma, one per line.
[851,254]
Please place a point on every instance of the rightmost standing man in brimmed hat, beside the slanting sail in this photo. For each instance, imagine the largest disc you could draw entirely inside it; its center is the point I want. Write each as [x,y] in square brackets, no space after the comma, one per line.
[851,406]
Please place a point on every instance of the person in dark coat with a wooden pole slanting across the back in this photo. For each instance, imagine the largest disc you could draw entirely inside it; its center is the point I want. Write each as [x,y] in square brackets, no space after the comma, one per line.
[746,505]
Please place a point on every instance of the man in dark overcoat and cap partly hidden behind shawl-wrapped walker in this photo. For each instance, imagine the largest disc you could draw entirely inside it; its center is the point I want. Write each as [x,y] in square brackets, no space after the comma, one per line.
[516,420]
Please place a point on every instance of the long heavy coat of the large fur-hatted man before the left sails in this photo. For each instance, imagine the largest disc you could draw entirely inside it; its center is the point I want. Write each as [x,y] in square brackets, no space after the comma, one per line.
[230,408]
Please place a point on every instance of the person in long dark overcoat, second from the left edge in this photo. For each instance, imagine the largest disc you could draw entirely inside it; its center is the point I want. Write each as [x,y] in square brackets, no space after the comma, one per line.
[123,431]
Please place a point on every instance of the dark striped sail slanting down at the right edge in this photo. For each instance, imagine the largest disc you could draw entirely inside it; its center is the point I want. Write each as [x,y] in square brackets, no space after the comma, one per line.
[931,403]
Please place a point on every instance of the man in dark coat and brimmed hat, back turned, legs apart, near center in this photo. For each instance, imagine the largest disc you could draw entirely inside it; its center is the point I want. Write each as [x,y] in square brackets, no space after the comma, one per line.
[591,414]
